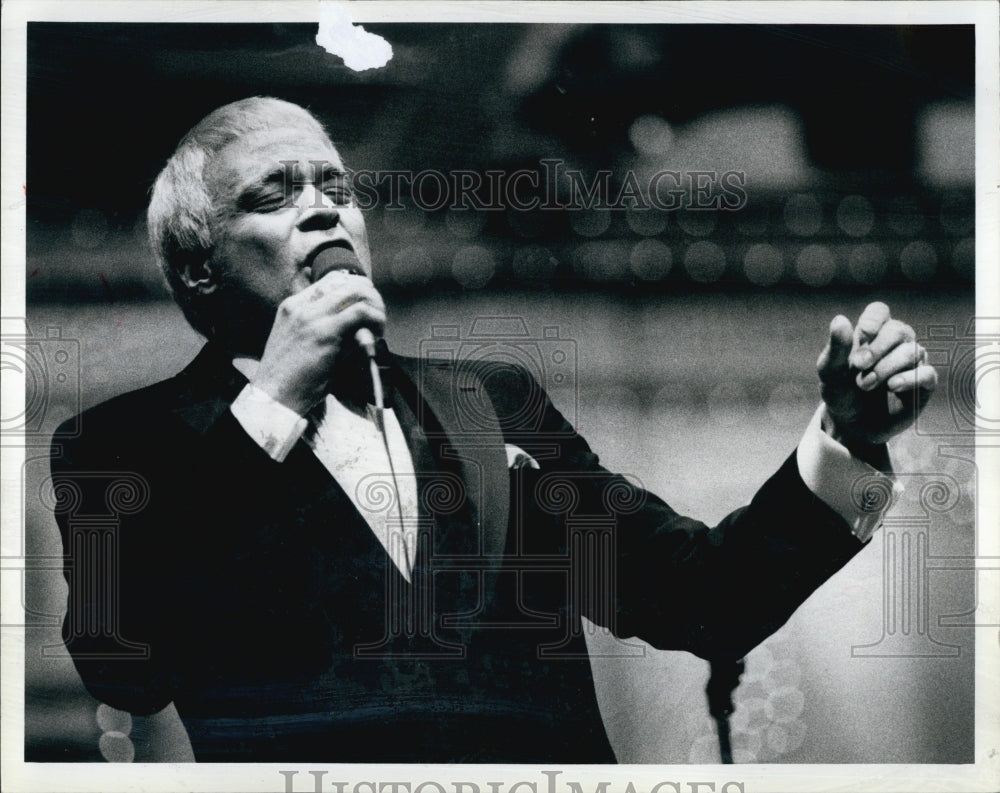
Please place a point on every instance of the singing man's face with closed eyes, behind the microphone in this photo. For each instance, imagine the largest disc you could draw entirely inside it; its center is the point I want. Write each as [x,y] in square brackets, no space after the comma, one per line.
[280,197]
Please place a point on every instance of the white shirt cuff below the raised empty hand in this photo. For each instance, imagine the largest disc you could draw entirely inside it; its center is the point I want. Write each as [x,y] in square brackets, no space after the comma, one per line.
[859,493]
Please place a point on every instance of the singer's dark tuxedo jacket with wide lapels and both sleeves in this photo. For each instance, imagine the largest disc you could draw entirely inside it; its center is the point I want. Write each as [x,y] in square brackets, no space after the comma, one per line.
[254,595]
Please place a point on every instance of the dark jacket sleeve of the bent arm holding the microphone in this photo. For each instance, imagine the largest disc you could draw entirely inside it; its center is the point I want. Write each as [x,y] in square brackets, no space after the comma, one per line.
[148,508]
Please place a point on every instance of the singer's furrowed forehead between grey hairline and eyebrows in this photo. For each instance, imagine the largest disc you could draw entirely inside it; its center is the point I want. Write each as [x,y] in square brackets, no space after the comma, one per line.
[255,155]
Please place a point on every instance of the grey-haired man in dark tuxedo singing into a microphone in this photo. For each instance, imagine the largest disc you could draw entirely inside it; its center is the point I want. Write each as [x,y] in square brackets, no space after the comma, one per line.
[258,577]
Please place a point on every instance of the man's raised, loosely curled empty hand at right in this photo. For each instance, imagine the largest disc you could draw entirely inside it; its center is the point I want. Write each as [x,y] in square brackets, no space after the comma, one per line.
[874,378]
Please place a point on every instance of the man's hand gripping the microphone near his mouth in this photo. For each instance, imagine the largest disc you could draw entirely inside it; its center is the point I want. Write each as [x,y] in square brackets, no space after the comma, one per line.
[309,331]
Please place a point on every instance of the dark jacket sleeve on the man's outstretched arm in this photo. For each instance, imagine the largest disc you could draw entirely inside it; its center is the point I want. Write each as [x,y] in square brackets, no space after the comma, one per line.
[678,584]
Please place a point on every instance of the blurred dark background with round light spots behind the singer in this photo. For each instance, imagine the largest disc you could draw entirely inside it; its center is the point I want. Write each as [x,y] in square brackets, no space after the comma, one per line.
[686,338]
